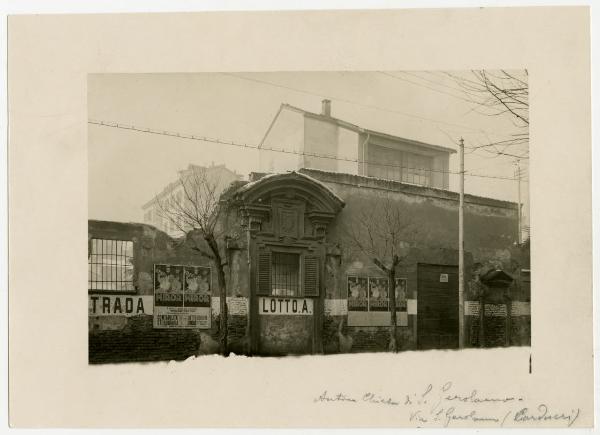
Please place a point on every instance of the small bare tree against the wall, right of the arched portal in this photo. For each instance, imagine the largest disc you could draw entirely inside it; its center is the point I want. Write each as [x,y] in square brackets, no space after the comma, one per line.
[384,233]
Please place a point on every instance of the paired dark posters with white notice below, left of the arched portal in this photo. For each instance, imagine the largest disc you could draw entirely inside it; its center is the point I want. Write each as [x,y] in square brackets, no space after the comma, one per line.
[181,297]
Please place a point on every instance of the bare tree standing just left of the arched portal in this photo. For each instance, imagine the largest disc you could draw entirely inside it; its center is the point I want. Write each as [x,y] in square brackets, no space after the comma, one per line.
[194,207]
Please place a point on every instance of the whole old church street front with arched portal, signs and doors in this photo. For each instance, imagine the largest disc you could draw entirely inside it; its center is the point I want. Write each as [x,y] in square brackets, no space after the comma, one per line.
[303,270]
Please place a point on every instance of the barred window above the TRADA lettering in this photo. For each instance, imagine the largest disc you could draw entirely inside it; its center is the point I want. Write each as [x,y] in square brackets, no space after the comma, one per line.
[110,265]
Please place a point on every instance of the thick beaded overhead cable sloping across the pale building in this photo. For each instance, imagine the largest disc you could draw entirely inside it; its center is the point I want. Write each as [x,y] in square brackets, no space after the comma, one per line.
[147,130]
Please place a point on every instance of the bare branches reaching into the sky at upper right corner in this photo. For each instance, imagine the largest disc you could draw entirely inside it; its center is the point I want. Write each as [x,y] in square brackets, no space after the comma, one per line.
[500,93]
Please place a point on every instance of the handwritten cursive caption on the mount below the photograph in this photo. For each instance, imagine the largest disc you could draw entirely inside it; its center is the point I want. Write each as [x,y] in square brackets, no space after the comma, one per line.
[446,406]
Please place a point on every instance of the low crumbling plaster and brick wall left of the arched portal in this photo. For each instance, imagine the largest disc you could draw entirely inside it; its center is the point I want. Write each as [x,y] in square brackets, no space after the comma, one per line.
[120,338]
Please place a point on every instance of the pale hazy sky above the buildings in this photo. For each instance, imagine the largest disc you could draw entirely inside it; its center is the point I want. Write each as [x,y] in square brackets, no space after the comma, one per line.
[127,168]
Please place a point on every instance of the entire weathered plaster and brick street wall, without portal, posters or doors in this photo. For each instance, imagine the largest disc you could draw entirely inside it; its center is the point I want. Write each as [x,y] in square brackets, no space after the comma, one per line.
[490,232]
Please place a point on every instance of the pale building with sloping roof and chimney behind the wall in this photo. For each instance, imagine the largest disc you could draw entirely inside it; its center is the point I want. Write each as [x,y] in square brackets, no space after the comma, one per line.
[320,141]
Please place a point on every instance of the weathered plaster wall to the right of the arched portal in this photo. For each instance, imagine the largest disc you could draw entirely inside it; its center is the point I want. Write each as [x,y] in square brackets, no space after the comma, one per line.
[490,233]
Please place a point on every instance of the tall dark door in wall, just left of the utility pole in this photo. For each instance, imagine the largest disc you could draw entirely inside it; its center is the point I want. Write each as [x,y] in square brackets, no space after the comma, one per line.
[437,307]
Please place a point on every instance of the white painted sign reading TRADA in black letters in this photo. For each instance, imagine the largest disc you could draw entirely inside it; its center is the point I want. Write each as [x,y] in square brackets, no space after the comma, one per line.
[119,305]
